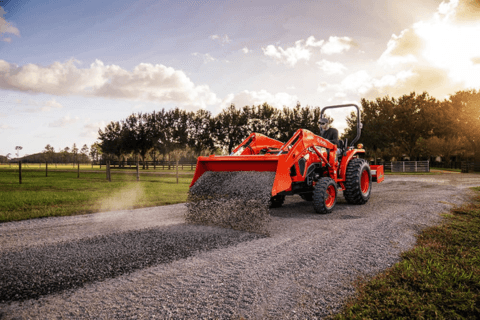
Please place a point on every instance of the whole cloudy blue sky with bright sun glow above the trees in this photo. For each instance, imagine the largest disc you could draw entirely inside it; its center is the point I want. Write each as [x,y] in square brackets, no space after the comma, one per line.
[68,68]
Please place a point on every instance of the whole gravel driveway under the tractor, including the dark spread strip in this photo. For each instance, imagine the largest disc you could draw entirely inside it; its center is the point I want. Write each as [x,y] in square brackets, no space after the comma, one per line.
[147,263]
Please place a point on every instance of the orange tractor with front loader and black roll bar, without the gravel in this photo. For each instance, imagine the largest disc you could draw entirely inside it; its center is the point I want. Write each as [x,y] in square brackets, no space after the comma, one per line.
[308,165]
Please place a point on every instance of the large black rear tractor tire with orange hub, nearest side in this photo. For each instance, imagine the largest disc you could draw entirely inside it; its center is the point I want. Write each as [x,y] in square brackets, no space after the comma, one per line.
[358,182]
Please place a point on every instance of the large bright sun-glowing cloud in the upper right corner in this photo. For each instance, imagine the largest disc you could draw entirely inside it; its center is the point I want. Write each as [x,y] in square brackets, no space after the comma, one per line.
[441,52]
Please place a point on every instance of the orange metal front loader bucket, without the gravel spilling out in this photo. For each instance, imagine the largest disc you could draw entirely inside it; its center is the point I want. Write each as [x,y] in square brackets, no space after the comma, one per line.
[259,163]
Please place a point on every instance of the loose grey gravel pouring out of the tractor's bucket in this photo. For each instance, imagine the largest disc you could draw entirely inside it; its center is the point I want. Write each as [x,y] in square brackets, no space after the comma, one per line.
[237,200]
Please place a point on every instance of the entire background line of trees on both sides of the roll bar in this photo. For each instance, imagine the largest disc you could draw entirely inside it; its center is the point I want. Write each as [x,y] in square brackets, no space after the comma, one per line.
[416,126]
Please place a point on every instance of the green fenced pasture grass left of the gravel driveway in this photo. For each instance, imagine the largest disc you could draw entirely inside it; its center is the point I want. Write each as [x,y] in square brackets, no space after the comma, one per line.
[62,193]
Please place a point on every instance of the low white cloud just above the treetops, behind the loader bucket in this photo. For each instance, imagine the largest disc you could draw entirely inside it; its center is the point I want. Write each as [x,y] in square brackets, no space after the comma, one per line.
[249,98]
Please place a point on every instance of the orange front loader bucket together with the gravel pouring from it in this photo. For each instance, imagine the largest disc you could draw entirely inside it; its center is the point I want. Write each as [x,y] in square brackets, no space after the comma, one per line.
[236,191]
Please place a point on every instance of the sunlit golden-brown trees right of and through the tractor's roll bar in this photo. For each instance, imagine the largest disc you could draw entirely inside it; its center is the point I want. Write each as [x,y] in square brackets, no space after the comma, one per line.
[419,126]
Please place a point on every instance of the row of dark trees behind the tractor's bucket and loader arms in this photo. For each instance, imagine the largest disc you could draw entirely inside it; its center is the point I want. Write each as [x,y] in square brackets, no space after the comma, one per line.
[179,132]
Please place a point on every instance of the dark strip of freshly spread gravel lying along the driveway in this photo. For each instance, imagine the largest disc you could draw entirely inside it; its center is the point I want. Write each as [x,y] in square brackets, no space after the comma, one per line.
[47,269]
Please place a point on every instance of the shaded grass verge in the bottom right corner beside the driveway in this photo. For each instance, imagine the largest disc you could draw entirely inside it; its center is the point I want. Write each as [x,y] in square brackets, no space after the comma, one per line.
[438,279]
